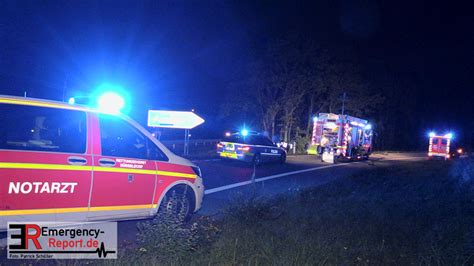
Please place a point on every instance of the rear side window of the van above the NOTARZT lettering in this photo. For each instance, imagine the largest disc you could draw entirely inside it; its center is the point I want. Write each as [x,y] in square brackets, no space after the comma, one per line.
[33,128]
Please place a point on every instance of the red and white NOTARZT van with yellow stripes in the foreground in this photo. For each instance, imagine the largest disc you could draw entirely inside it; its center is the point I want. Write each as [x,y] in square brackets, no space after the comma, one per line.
[62,162]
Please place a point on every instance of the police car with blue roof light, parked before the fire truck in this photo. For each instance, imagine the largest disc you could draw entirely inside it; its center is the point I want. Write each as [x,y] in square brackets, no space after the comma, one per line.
[250,147]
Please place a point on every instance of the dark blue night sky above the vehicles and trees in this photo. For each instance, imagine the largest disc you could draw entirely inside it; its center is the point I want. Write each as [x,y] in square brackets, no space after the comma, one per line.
[186,54]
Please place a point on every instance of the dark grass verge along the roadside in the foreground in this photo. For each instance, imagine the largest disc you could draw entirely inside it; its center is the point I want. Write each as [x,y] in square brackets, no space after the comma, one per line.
[415,213]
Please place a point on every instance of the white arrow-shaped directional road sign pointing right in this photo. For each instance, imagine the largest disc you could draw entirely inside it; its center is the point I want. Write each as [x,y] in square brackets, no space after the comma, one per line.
[173,119]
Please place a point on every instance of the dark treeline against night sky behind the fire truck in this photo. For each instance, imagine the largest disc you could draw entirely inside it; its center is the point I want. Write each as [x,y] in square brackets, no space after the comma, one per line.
[293,80]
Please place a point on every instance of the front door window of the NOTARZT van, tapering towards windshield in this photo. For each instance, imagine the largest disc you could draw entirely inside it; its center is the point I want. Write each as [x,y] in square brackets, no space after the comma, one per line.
[120,139]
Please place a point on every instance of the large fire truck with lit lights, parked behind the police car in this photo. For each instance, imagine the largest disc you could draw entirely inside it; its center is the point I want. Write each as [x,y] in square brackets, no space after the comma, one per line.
[340,137]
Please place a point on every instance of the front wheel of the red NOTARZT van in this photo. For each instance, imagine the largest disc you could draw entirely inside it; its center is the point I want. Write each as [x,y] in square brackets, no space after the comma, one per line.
[178,204]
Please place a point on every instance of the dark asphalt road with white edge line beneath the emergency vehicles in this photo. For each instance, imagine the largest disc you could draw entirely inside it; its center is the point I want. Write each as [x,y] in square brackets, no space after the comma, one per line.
[226,179]
